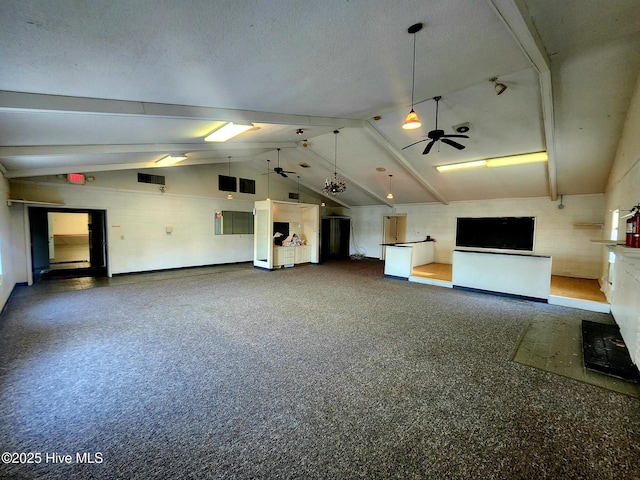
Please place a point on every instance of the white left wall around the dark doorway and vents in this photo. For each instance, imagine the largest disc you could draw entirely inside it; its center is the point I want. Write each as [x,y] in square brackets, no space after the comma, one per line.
[138,215]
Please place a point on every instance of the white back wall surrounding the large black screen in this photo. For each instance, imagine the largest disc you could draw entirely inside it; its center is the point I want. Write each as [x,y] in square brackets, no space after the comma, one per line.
[556,235]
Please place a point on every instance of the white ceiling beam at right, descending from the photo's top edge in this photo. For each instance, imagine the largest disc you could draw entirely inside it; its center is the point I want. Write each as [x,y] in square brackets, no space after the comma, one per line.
[514,15]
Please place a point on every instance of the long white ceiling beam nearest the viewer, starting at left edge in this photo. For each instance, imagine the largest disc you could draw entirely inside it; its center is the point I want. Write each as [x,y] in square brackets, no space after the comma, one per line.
[35,102]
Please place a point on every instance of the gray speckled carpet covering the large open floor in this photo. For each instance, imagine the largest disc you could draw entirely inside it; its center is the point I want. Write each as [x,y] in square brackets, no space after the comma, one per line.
[329,371]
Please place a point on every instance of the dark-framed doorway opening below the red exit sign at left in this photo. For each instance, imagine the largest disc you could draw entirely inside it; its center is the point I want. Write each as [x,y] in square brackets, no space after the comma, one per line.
[67,243]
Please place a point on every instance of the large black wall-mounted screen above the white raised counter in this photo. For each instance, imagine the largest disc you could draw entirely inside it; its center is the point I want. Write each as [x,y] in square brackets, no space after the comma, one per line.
[509,233]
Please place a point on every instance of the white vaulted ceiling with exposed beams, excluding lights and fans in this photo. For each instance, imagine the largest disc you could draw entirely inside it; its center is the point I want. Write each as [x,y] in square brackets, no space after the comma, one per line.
[102,86]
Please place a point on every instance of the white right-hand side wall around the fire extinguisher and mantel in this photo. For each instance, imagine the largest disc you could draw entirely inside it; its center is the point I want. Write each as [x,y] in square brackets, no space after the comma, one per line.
[623,192]
